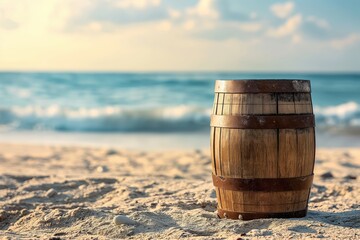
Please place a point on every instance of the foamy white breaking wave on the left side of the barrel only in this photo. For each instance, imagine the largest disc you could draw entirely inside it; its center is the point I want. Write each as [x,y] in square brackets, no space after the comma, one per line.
[178,118]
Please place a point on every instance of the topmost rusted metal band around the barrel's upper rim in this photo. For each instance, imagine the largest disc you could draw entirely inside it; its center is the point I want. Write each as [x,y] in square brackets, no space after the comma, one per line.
[263,86]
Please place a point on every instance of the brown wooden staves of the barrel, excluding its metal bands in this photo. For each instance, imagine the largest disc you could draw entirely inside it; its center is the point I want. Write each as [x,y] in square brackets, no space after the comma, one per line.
[262,153]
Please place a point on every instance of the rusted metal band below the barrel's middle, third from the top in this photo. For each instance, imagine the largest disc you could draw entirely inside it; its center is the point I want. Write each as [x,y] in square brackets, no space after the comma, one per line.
[263,184]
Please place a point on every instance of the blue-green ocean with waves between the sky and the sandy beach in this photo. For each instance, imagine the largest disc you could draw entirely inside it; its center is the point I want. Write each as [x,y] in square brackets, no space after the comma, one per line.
[95,107]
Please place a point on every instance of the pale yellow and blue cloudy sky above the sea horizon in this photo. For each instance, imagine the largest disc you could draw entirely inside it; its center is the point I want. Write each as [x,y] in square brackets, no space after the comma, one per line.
[173,35]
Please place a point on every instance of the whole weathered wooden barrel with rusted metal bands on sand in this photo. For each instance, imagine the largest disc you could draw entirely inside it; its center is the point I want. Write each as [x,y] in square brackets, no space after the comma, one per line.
[262,147]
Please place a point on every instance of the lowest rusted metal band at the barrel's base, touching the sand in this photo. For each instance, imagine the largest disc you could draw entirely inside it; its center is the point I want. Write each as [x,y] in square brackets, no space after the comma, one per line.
[255,215]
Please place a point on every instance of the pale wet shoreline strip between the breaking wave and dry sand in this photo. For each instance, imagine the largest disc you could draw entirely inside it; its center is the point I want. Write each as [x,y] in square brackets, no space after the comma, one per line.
[148,140]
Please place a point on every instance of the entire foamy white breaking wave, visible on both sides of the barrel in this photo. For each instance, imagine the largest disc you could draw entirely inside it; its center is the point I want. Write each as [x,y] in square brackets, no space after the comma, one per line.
[158,119]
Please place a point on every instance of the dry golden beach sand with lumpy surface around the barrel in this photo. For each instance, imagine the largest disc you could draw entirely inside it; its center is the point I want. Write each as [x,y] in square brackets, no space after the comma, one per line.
[57,192]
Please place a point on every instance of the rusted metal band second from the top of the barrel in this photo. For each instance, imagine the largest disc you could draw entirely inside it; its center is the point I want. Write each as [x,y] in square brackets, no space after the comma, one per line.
[263,121]
